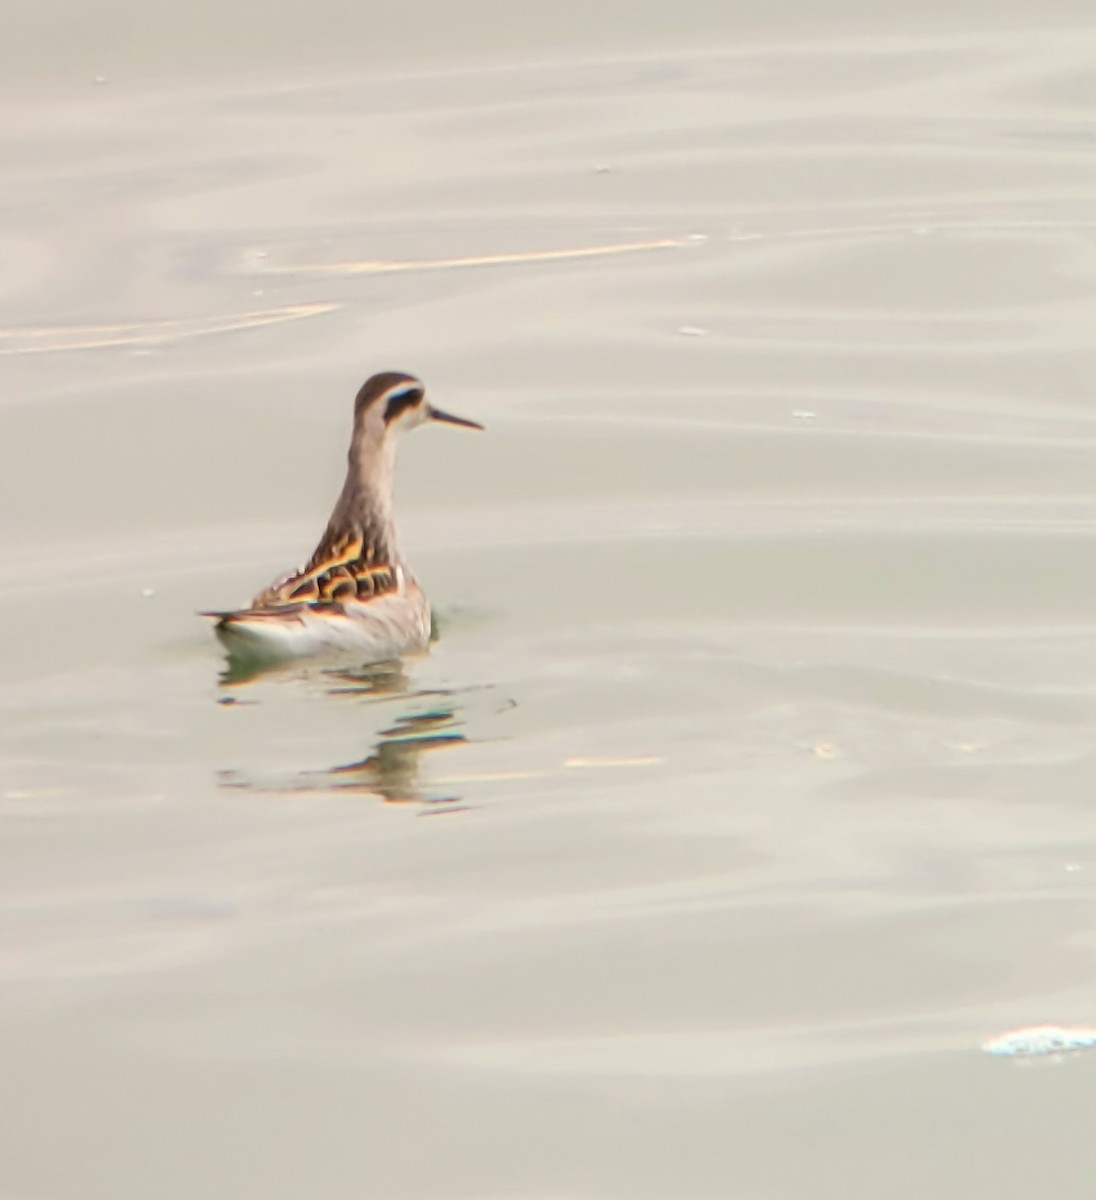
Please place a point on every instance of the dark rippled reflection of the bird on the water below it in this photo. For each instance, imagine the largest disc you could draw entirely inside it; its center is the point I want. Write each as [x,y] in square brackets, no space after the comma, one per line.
[392,769]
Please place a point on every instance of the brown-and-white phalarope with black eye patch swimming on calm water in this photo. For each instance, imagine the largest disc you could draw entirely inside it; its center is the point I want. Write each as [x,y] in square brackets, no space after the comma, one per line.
[356,593]
